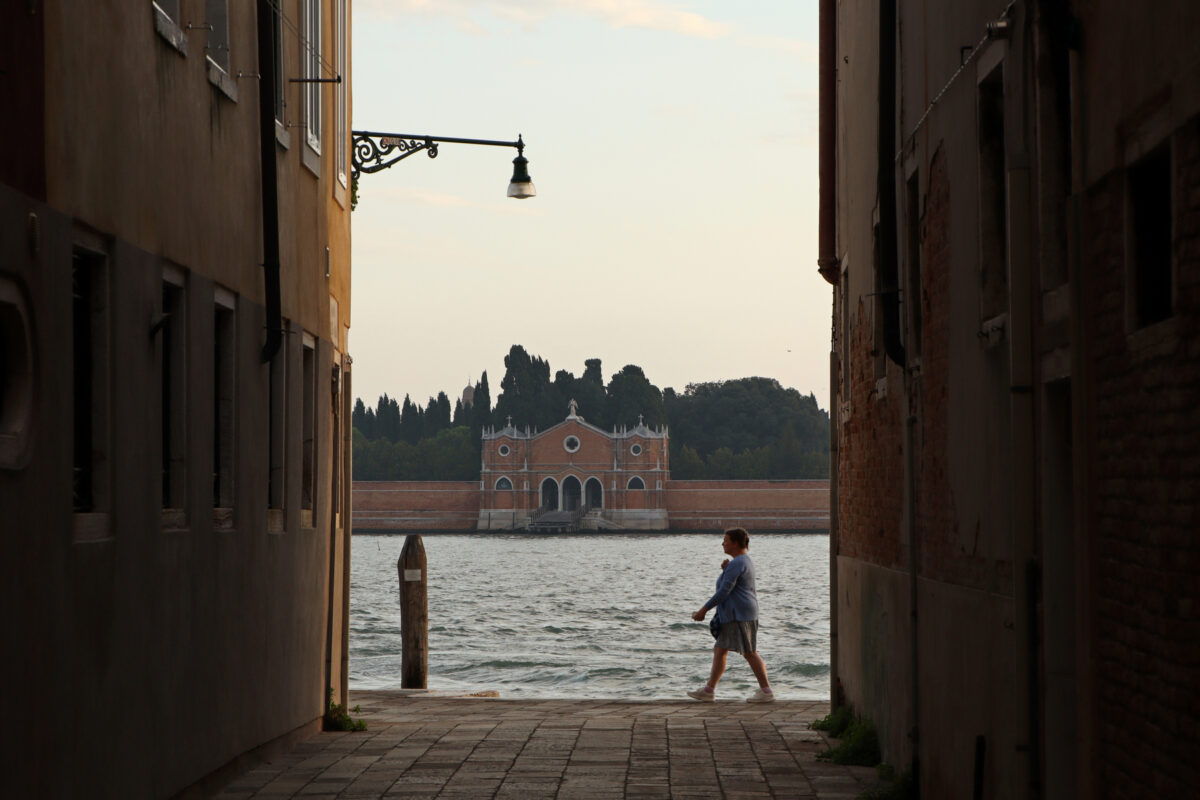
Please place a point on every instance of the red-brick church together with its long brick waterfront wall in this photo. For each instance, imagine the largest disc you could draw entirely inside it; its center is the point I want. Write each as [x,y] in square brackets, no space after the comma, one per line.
[577,477]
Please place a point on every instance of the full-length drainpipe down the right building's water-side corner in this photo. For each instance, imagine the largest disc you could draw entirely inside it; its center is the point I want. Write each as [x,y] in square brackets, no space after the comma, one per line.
[830,269]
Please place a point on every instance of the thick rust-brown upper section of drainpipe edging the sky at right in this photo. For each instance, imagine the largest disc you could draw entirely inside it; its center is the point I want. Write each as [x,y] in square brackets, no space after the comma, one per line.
[827,246]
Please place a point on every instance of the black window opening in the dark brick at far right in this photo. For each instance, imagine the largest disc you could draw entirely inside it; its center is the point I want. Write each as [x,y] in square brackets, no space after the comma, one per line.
[1149,248]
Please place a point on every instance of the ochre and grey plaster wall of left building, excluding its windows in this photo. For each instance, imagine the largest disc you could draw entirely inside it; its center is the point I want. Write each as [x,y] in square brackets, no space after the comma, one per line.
[166,645]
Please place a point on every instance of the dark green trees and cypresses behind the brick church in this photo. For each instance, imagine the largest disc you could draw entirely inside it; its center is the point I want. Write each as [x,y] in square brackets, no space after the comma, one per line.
[745,429]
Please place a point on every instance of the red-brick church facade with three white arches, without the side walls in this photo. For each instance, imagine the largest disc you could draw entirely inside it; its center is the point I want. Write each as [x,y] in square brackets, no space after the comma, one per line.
[574,474]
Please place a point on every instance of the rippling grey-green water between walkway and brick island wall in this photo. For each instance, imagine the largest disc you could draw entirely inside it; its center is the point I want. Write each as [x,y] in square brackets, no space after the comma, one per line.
[590,616]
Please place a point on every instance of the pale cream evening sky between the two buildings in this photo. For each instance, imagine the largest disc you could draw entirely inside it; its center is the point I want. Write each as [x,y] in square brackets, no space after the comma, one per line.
[674,147]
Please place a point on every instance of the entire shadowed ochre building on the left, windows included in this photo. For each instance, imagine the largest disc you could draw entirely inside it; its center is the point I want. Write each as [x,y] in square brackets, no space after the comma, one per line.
[175,386]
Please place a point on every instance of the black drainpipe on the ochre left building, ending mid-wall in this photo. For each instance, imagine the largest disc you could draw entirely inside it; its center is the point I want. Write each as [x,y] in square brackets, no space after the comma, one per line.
[271,183]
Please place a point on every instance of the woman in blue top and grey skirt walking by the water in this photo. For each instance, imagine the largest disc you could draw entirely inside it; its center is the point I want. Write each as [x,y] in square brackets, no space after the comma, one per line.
[736,624]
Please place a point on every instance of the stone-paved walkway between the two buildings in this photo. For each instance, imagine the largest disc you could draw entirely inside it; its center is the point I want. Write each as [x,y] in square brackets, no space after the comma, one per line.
[429,747]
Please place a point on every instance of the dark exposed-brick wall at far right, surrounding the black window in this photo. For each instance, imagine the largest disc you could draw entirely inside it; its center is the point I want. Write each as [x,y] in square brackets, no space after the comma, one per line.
[1144,477]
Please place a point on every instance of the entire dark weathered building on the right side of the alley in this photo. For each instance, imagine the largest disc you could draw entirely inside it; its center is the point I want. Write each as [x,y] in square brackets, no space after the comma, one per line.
[1011,220]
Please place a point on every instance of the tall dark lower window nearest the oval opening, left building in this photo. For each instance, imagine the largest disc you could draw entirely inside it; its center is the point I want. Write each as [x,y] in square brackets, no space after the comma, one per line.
[89,372]
